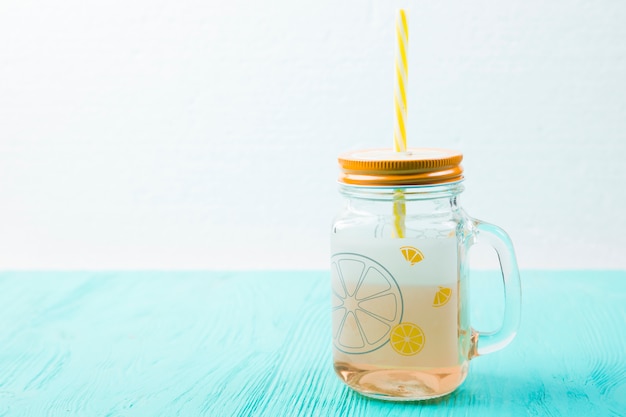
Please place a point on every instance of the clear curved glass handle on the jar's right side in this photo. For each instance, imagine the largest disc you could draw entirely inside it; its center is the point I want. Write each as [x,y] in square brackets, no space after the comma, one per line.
[488,342]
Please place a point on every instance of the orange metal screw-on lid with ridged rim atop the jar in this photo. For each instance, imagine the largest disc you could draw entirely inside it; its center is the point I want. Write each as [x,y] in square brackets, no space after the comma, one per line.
[416,166]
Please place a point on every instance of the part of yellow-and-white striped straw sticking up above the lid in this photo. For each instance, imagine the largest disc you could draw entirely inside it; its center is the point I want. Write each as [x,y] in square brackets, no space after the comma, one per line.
[402,78]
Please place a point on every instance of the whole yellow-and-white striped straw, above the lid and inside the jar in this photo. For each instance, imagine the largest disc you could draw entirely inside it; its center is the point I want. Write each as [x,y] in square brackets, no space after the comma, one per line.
[399,98]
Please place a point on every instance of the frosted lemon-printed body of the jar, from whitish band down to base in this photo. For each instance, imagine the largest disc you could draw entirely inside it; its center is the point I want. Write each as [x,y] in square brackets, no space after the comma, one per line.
[397,316]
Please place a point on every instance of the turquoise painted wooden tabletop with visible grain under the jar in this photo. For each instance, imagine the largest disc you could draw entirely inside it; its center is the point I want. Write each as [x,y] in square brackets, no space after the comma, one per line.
[258,343]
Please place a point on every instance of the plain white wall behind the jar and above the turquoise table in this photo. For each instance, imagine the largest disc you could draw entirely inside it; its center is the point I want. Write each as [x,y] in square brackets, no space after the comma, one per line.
[204,134]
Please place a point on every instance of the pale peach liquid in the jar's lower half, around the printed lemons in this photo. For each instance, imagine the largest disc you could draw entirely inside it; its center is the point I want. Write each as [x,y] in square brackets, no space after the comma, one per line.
[438,369]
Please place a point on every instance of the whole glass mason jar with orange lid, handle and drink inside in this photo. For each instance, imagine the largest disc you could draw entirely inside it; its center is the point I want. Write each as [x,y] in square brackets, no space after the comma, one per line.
[399,268]
